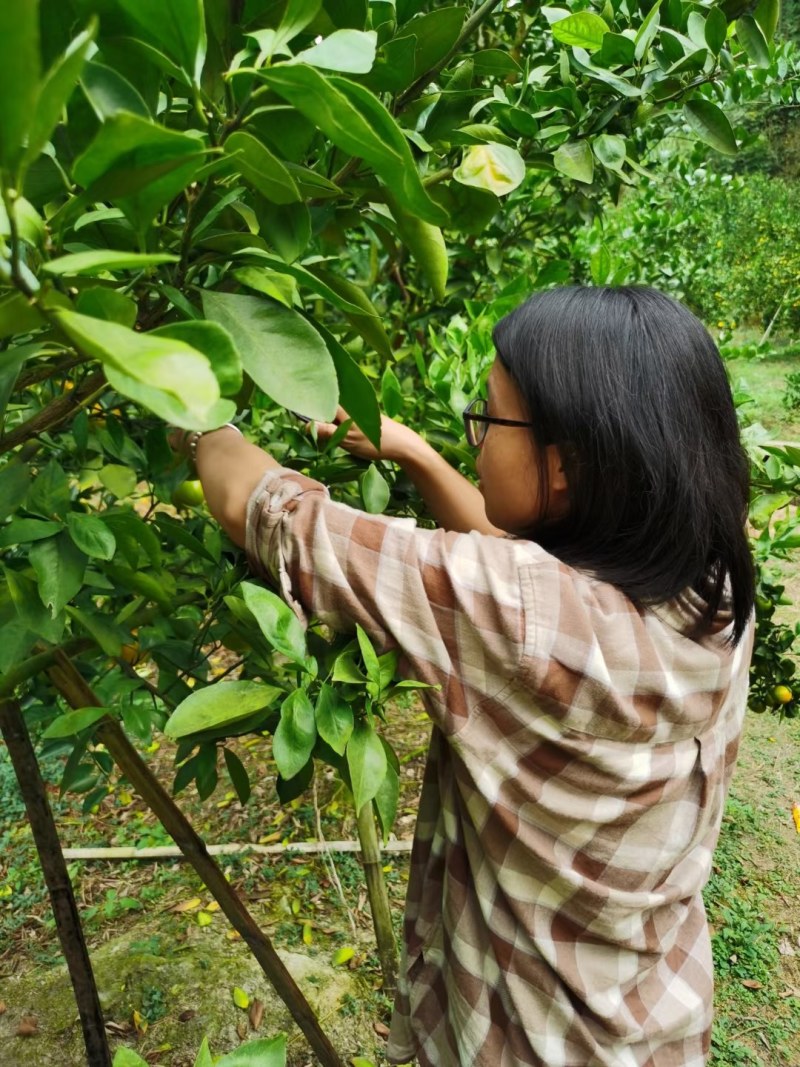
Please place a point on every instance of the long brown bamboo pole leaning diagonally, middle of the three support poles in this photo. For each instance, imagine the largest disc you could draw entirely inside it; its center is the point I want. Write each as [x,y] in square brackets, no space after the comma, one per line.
[69,681]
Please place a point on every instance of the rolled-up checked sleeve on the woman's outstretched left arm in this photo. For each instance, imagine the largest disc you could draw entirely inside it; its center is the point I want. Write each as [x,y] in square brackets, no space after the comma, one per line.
[450,603]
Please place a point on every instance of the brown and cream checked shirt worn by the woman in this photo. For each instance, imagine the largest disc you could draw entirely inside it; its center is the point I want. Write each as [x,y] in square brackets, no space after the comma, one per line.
[573,794]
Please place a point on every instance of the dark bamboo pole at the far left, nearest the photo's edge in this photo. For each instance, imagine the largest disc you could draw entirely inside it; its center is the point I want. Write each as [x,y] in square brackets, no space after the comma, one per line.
[57,879]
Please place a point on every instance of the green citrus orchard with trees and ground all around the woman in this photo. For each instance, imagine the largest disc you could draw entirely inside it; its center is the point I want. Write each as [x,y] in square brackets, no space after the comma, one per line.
[242,209]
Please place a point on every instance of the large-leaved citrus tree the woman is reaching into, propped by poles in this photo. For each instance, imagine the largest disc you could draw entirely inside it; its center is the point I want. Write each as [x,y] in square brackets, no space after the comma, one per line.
[237,208]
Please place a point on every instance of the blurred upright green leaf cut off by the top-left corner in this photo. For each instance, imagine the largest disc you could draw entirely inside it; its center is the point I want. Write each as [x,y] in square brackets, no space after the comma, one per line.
[20,76]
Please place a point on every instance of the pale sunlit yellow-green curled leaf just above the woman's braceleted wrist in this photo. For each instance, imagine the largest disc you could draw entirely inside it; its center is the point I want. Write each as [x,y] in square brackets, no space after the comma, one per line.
[158,363]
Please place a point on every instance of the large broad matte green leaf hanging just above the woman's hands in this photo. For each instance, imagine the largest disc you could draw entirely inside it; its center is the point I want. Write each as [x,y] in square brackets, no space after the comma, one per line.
[264,332]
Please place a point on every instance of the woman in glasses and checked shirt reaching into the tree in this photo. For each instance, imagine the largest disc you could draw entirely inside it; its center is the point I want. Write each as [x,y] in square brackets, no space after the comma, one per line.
[586,614]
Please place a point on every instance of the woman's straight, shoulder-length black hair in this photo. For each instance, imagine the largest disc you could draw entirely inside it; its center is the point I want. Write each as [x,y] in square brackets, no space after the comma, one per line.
[631,388]
